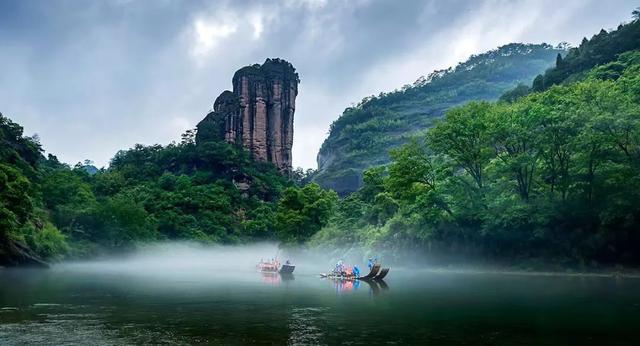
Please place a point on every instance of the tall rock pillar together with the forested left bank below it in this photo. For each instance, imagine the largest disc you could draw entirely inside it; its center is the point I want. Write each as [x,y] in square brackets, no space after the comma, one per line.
[216,185]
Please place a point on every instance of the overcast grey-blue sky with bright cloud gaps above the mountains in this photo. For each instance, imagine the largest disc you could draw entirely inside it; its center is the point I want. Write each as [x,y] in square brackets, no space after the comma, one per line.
[93,77]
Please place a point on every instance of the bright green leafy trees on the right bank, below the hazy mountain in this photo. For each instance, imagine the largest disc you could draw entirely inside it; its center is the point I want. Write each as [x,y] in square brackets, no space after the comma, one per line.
[553,175]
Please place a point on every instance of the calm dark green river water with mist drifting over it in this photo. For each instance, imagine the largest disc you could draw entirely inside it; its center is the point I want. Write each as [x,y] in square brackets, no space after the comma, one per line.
[149,301]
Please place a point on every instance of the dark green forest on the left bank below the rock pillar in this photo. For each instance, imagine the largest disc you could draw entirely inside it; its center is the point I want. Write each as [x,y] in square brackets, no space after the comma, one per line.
[209,192]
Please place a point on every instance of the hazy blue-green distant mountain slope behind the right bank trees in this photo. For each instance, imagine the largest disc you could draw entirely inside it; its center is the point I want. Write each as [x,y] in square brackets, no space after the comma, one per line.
[362,136]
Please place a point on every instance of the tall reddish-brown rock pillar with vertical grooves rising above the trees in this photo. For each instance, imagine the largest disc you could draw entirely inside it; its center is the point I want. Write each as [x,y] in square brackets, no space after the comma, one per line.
[258,113]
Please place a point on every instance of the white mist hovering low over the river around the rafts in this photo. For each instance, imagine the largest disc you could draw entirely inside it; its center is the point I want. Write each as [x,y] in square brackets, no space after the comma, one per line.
[195,262]
